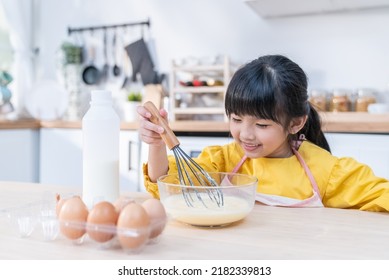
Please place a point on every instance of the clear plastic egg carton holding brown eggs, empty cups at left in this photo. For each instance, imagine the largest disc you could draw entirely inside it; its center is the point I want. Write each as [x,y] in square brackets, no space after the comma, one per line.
[39,220]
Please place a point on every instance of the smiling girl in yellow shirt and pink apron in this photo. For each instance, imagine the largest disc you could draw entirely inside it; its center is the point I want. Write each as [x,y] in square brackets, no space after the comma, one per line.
[277,138]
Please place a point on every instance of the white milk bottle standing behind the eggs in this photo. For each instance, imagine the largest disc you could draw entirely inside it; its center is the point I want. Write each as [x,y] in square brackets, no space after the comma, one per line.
[101,130]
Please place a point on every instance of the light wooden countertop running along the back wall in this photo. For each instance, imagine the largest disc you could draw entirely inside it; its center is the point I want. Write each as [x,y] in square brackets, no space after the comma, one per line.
[332,122]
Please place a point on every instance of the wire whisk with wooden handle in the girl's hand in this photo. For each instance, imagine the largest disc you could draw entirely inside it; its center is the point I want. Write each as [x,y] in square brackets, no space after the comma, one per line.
[190,173]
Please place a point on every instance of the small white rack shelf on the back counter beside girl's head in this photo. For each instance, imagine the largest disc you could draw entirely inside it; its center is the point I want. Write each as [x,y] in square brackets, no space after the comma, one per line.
[179,109]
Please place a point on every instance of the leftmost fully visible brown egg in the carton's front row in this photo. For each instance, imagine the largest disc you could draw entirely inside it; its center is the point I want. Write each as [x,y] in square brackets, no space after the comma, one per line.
[72,218]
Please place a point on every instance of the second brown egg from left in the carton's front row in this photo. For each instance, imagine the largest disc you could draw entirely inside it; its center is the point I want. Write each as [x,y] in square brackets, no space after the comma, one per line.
[101,222]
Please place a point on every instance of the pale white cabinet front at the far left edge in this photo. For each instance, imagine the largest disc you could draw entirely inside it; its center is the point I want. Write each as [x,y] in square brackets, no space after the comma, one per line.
[19,155]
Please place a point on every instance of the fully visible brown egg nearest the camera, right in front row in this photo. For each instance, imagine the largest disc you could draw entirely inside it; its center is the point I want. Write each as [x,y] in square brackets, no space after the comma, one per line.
[133,227]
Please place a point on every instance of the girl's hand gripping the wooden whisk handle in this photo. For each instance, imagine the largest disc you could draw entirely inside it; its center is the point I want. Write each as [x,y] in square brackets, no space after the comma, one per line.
[148,131]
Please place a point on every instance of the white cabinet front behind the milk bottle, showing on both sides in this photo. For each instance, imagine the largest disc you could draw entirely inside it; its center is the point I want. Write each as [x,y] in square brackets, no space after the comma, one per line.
[61,158]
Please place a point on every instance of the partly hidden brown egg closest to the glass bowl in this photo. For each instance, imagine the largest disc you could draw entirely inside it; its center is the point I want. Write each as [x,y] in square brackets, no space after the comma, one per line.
[157,215]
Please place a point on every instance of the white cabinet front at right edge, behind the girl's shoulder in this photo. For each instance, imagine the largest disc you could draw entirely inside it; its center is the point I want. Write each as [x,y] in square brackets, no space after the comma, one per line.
[371,149]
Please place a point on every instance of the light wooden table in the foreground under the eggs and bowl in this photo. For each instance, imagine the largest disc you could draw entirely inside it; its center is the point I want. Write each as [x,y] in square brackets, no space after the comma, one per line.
[267,233]
